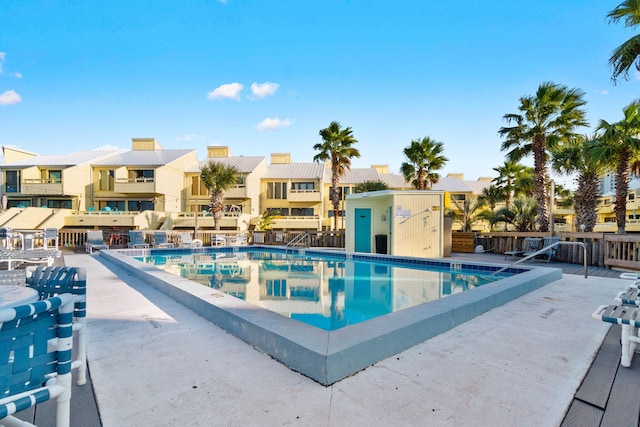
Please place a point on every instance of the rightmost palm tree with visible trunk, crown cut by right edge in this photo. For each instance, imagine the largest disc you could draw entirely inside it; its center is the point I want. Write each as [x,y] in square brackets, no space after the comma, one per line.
[619,149]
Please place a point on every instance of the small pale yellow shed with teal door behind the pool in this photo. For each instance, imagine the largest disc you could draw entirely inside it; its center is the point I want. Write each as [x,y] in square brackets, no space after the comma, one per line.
[406,223]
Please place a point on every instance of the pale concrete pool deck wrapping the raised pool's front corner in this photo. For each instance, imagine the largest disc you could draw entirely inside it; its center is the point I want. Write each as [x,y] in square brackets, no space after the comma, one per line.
[154,362]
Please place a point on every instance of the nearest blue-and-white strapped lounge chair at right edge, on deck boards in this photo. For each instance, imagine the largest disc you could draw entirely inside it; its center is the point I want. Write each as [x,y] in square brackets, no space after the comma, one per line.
[629,319]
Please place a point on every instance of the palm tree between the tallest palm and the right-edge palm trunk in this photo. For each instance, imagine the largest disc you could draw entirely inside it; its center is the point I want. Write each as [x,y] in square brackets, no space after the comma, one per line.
[575,158]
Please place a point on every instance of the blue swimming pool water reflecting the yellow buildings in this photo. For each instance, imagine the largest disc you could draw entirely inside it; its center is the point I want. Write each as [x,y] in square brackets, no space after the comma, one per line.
[326,291]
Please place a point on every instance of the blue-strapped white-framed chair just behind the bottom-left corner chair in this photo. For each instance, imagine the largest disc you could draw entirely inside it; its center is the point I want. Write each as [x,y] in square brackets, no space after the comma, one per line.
[53,281]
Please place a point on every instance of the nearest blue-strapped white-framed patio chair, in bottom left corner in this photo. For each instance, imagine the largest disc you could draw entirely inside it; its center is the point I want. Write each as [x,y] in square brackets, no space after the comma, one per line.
[35,358]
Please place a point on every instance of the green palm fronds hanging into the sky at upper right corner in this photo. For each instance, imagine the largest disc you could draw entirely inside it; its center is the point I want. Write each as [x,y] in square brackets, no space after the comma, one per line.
[628,53]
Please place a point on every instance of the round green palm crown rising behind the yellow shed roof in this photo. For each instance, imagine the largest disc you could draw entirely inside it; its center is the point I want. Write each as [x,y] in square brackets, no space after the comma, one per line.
[424,157]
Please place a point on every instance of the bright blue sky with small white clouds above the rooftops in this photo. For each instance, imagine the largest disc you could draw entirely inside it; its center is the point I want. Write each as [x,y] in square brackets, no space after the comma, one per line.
[265,76]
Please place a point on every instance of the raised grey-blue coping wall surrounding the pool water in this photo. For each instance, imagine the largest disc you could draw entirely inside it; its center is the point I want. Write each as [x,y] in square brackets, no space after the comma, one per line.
[329,356]
